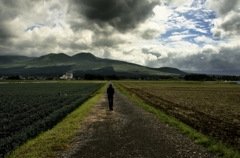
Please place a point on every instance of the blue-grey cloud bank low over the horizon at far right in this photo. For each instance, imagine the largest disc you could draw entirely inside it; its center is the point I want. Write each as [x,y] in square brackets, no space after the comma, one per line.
[226,59]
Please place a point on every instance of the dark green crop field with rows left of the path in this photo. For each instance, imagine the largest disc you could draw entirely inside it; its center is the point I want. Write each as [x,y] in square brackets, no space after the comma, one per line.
[27,109]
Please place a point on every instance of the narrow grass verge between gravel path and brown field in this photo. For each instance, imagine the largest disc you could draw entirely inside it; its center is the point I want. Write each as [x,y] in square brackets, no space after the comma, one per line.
[216,147]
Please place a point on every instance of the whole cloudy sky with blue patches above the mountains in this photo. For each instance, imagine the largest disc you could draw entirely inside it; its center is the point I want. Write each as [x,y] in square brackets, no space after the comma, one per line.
[193,35]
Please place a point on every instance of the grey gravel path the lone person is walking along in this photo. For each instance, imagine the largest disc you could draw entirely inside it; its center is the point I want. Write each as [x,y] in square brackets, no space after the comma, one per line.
[129,131]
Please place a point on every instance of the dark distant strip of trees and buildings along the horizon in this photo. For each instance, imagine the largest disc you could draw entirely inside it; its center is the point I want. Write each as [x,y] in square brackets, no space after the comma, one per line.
[69,76]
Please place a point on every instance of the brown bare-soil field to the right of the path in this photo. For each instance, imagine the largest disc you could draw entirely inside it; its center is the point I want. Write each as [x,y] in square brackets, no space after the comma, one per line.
[209,107]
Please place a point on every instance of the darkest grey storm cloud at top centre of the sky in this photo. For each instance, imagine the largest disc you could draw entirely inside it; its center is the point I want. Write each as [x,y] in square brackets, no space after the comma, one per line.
[121,14]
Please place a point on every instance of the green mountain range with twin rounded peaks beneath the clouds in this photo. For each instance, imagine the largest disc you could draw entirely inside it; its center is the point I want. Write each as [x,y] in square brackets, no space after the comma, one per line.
[79,64]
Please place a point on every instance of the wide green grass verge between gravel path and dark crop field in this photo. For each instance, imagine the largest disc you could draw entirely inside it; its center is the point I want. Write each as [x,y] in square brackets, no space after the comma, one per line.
[57,139]
